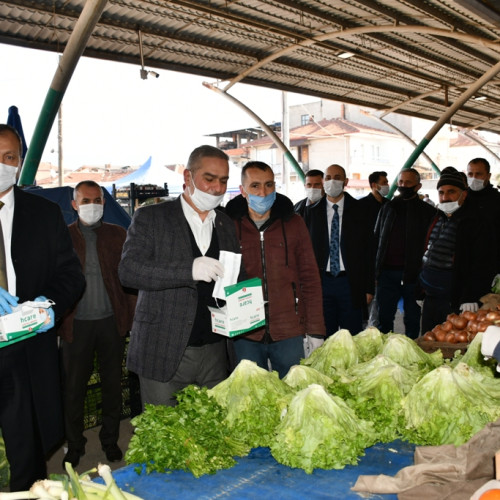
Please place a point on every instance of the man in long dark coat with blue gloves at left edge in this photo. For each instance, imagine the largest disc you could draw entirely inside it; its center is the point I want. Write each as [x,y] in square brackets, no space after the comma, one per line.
[41,264]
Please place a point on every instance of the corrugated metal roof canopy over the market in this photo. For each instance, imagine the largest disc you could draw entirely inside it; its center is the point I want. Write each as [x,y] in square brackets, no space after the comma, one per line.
[414,57]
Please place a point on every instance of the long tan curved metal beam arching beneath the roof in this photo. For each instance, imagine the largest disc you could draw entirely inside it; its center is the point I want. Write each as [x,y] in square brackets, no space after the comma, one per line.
[362,30]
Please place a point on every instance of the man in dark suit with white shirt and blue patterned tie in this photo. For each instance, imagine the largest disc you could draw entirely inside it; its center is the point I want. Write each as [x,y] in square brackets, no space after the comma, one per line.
[346,261]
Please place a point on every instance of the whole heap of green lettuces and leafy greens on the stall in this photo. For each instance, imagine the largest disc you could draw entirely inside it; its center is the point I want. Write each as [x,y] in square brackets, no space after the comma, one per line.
[350,393]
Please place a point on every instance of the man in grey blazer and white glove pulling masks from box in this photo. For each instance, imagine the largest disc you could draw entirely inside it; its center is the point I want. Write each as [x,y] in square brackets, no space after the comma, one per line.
[171,256]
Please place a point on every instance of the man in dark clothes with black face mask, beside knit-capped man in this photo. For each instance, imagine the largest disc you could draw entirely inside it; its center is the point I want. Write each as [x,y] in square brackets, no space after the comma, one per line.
[400,233]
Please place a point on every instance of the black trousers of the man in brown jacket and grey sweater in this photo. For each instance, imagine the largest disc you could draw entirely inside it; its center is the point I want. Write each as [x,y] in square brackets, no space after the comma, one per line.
[89,338]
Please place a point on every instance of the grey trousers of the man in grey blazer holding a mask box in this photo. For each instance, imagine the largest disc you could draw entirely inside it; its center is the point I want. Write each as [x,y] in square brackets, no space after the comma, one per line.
[204,366]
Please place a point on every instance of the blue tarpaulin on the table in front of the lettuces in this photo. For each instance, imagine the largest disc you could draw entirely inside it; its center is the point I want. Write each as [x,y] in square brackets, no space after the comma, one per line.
[259,476]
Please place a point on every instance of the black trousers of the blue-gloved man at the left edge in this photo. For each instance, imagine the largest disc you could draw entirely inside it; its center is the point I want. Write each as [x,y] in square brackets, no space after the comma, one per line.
[17,419]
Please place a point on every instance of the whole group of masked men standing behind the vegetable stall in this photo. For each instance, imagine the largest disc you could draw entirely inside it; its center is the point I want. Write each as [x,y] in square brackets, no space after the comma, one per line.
[327,263]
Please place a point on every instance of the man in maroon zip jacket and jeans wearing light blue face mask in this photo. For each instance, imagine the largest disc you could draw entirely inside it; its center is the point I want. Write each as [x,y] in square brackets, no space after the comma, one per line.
[276,247]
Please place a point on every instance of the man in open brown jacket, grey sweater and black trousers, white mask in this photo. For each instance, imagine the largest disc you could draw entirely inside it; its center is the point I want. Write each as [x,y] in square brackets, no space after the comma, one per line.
[96,326]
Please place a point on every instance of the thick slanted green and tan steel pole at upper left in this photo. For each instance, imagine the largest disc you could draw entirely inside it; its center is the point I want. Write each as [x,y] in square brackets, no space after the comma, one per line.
[77,42]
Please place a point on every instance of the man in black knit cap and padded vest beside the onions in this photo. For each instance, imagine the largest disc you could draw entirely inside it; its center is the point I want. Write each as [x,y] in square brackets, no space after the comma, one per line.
[457,267]
